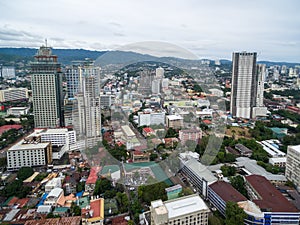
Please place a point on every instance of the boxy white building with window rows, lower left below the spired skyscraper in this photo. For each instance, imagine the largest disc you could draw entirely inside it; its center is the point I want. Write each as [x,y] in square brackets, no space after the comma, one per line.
[29,152]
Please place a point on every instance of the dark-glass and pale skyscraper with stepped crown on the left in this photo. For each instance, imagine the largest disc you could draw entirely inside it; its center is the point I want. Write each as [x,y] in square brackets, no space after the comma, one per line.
[47,95]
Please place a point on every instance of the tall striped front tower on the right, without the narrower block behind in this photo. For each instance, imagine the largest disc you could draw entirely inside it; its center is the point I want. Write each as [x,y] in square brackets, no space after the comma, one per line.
[243,84]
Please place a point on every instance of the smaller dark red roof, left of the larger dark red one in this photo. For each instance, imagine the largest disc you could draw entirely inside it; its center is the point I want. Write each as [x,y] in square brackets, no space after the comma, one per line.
[227,192]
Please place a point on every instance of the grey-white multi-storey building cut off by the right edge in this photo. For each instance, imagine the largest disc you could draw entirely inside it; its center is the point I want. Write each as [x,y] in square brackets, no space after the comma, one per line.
[292,171]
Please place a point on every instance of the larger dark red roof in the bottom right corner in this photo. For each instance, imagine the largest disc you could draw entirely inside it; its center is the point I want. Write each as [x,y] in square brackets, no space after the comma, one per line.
[270,198]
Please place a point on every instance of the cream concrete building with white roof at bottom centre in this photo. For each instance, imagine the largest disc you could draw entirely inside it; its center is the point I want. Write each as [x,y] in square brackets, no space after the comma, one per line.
[186,210]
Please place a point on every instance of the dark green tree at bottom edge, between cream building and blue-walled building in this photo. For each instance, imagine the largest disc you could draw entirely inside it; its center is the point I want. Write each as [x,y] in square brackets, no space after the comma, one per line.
[234,214]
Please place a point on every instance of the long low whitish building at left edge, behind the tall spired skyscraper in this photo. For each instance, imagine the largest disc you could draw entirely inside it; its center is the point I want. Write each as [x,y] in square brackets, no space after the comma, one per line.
[13,94]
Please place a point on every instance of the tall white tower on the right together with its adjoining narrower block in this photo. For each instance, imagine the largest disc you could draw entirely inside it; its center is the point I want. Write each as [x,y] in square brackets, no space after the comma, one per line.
[247,86]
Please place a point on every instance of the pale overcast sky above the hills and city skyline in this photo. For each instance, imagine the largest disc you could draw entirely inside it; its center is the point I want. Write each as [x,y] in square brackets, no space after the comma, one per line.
[211,28]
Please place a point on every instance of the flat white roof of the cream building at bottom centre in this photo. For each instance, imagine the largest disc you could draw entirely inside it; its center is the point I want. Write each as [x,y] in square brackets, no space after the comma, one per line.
[185,205]
